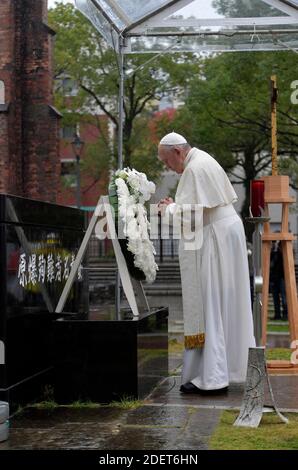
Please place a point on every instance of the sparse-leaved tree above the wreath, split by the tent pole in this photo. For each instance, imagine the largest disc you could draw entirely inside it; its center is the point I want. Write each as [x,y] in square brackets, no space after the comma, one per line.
[81,53]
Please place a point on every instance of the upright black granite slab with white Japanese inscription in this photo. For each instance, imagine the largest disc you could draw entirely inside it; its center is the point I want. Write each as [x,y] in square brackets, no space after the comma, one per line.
[38,244]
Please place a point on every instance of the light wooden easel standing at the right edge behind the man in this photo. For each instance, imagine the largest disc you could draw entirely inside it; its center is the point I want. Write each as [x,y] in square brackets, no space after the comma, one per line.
[277,192]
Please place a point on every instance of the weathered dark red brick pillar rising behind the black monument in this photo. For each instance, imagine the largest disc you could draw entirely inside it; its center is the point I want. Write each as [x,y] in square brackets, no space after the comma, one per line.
[29,124]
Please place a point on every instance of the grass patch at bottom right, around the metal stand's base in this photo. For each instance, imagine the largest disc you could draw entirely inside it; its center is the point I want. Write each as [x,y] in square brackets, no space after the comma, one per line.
[271,434]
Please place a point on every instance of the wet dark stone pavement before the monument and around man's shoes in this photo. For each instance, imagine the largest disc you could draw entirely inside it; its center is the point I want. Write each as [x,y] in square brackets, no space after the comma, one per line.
[166,420]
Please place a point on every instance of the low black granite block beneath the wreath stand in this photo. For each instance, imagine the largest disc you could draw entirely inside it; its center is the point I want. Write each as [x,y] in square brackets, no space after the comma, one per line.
[106,359]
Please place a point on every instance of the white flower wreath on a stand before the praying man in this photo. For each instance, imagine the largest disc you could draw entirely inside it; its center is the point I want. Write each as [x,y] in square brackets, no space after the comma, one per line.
[133,190]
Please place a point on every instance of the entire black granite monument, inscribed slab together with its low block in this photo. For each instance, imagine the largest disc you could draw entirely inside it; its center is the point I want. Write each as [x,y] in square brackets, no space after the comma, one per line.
[75,355]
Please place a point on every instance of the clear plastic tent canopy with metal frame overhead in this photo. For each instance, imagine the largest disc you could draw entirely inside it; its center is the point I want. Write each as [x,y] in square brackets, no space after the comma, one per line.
[155,26]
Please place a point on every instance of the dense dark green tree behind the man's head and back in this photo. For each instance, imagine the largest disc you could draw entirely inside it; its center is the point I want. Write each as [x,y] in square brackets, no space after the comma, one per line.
[227,113]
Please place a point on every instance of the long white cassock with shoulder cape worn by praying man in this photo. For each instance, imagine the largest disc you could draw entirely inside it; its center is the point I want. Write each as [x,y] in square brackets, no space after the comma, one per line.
[215,279]
